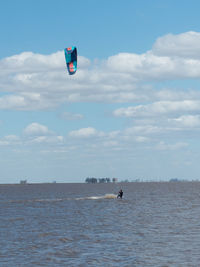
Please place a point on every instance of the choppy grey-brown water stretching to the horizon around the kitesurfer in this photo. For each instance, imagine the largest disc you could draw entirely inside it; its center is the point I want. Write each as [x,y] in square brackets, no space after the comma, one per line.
[155,224]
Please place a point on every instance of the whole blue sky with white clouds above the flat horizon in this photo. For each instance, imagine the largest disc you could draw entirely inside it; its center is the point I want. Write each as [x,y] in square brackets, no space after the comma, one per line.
[131,111]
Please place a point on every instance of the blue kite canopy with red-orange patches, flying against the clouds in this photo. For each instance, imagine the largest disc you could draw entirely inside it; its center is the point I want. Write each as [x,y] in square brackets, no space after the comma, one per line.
[71,59]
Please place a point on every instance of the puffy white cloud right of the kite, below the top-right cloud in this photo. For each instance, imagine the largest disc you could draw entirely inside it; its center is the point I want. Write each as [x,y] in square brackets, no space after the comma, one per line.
[150,67]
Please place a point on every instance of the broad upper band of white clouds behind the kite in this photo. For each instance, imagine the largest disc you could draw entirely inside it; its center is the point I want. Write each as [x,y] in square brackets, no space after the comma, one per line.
[31,81]
